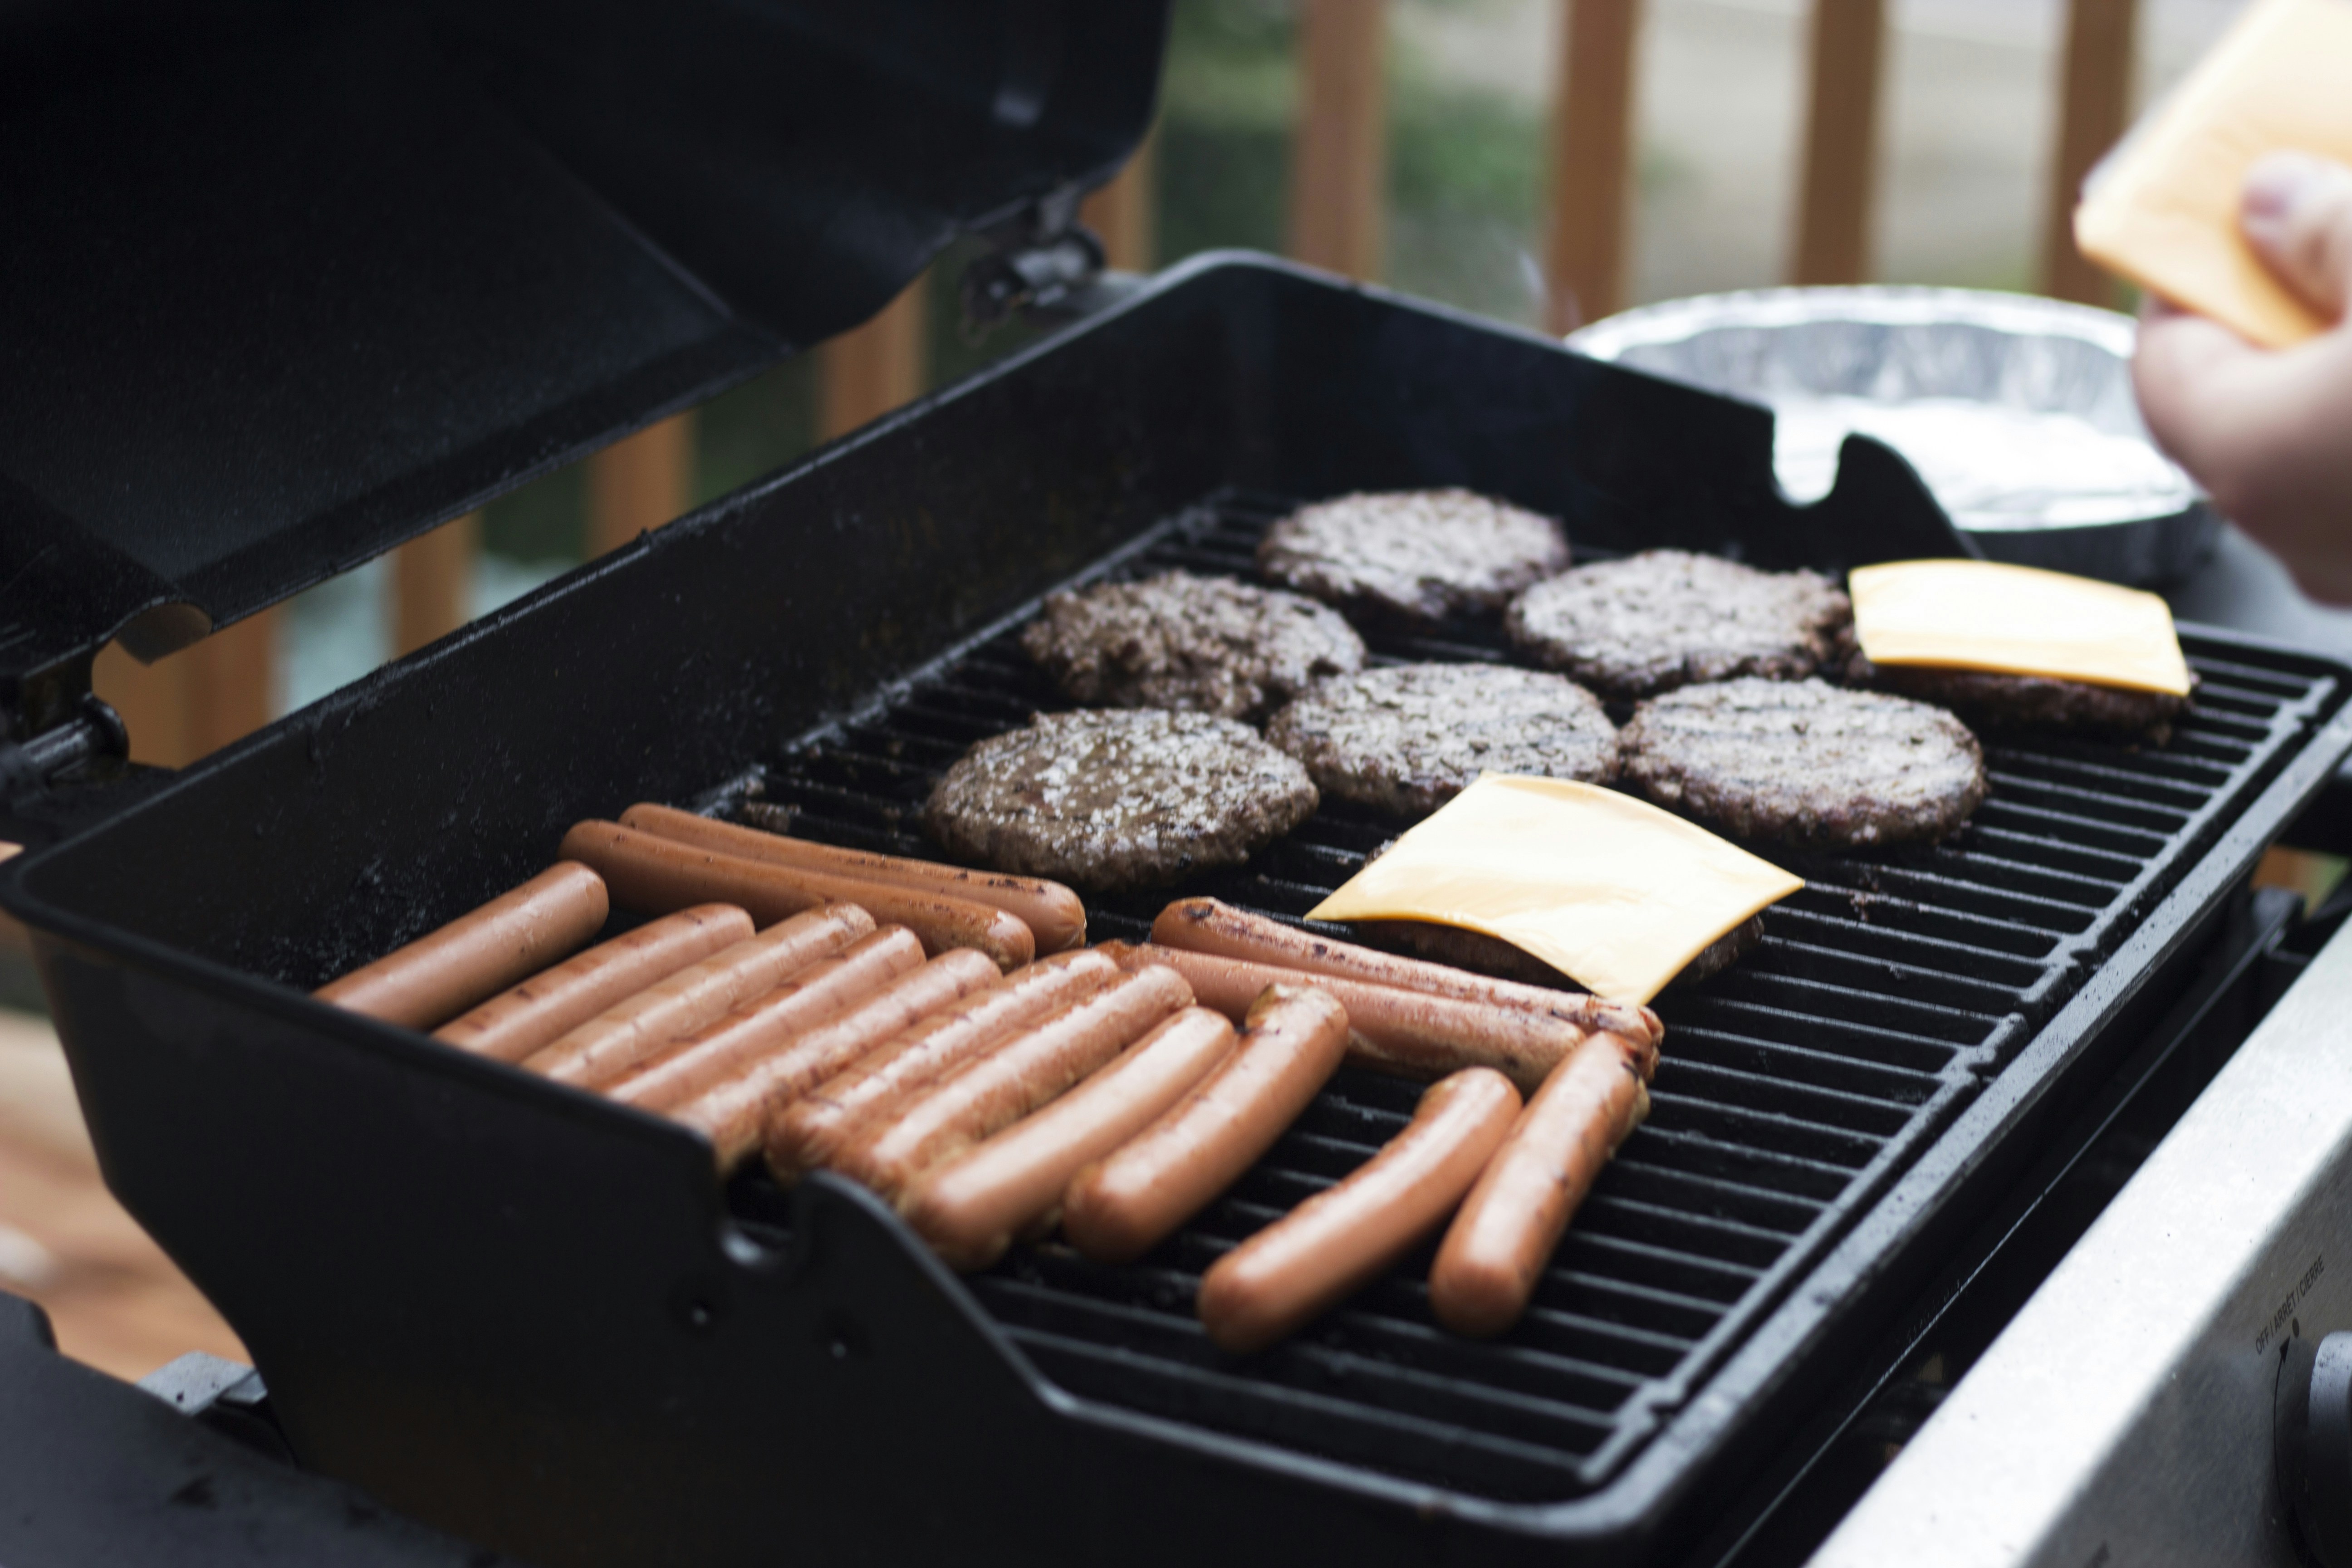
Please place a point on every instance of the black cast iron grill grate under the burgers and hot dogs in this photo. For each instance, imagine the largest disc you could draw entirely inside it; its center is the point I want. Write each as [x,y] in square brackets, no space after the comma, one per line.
[1793,1087]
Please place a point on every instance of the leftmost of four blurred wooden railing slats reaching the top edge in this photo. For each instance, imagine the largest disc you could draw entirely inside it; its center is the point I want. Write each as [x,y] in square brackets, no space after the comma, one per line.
[1339,152]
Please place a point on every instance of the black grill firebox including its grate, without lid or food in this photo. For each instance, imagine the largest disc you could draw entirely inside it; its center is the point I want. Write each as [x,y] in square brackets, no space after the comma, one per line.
[535,1318]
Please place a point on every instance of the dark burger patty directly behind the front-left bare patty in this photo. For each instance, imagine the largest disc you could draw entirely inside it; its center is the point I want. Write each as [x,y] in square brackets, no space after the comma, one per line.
[1191,643]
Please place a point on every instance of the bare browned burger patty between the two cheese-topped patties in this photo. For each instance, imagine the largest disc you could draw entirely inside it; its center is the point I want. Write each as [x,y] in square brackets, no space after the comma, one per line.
[1805,763]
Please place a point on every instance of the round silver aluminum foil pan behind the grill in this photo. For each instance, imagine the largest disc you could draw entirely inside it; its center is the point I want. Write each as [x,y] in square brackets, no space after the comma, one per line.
[2014,410]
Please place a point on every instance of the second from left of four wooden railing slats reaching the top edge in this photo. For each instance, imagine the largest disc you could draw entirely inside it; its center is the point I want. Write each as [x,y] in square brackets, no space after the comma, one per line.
[1591,180]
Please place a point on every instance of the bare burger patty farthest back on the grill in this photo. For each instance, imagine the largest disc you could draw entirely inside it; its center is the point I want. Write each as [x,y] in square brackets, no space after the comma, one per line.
[1412,556]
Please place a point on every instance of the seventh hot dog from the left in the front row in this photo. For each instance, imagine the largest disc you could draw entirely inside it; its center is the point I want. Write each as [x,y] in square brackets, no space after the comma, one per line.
[1010,1083]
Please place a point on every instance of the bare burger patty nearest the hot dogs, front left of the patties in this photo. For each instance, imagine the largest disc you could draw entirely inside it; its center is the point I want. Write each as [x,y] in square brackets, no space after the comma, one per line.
[1118,798]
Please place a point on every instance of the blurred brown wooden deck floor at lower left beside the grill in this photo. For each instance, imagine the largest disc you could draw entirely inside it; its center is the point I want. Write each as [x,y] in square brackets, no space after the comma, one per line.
[112,1294]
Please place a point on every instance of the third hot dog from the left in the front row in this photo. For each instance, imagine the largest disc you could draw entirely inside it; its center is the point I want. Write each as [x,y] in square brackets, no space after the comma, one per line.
[624,1036]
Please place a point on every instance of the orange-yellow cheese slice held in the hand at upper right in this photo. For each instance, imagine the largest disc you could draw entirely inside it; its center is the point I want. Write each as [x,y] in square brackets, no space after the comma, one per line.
[2165,210]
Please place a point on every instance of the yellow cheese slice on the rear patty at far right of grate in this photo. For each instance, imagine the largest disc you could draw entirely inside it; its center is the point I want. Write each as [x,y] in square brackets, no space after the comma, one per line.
[2017,622]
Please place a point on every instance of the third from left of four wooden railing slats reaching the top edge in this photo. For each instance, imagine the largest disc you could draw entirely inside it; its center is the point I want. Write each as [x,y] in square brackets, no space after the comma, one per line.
[1840,142]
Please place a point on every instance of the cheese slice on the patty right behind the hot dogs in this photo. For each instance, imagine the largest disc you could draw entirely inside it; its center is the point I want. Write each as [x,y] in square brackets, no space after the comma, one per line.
[1603,887]
